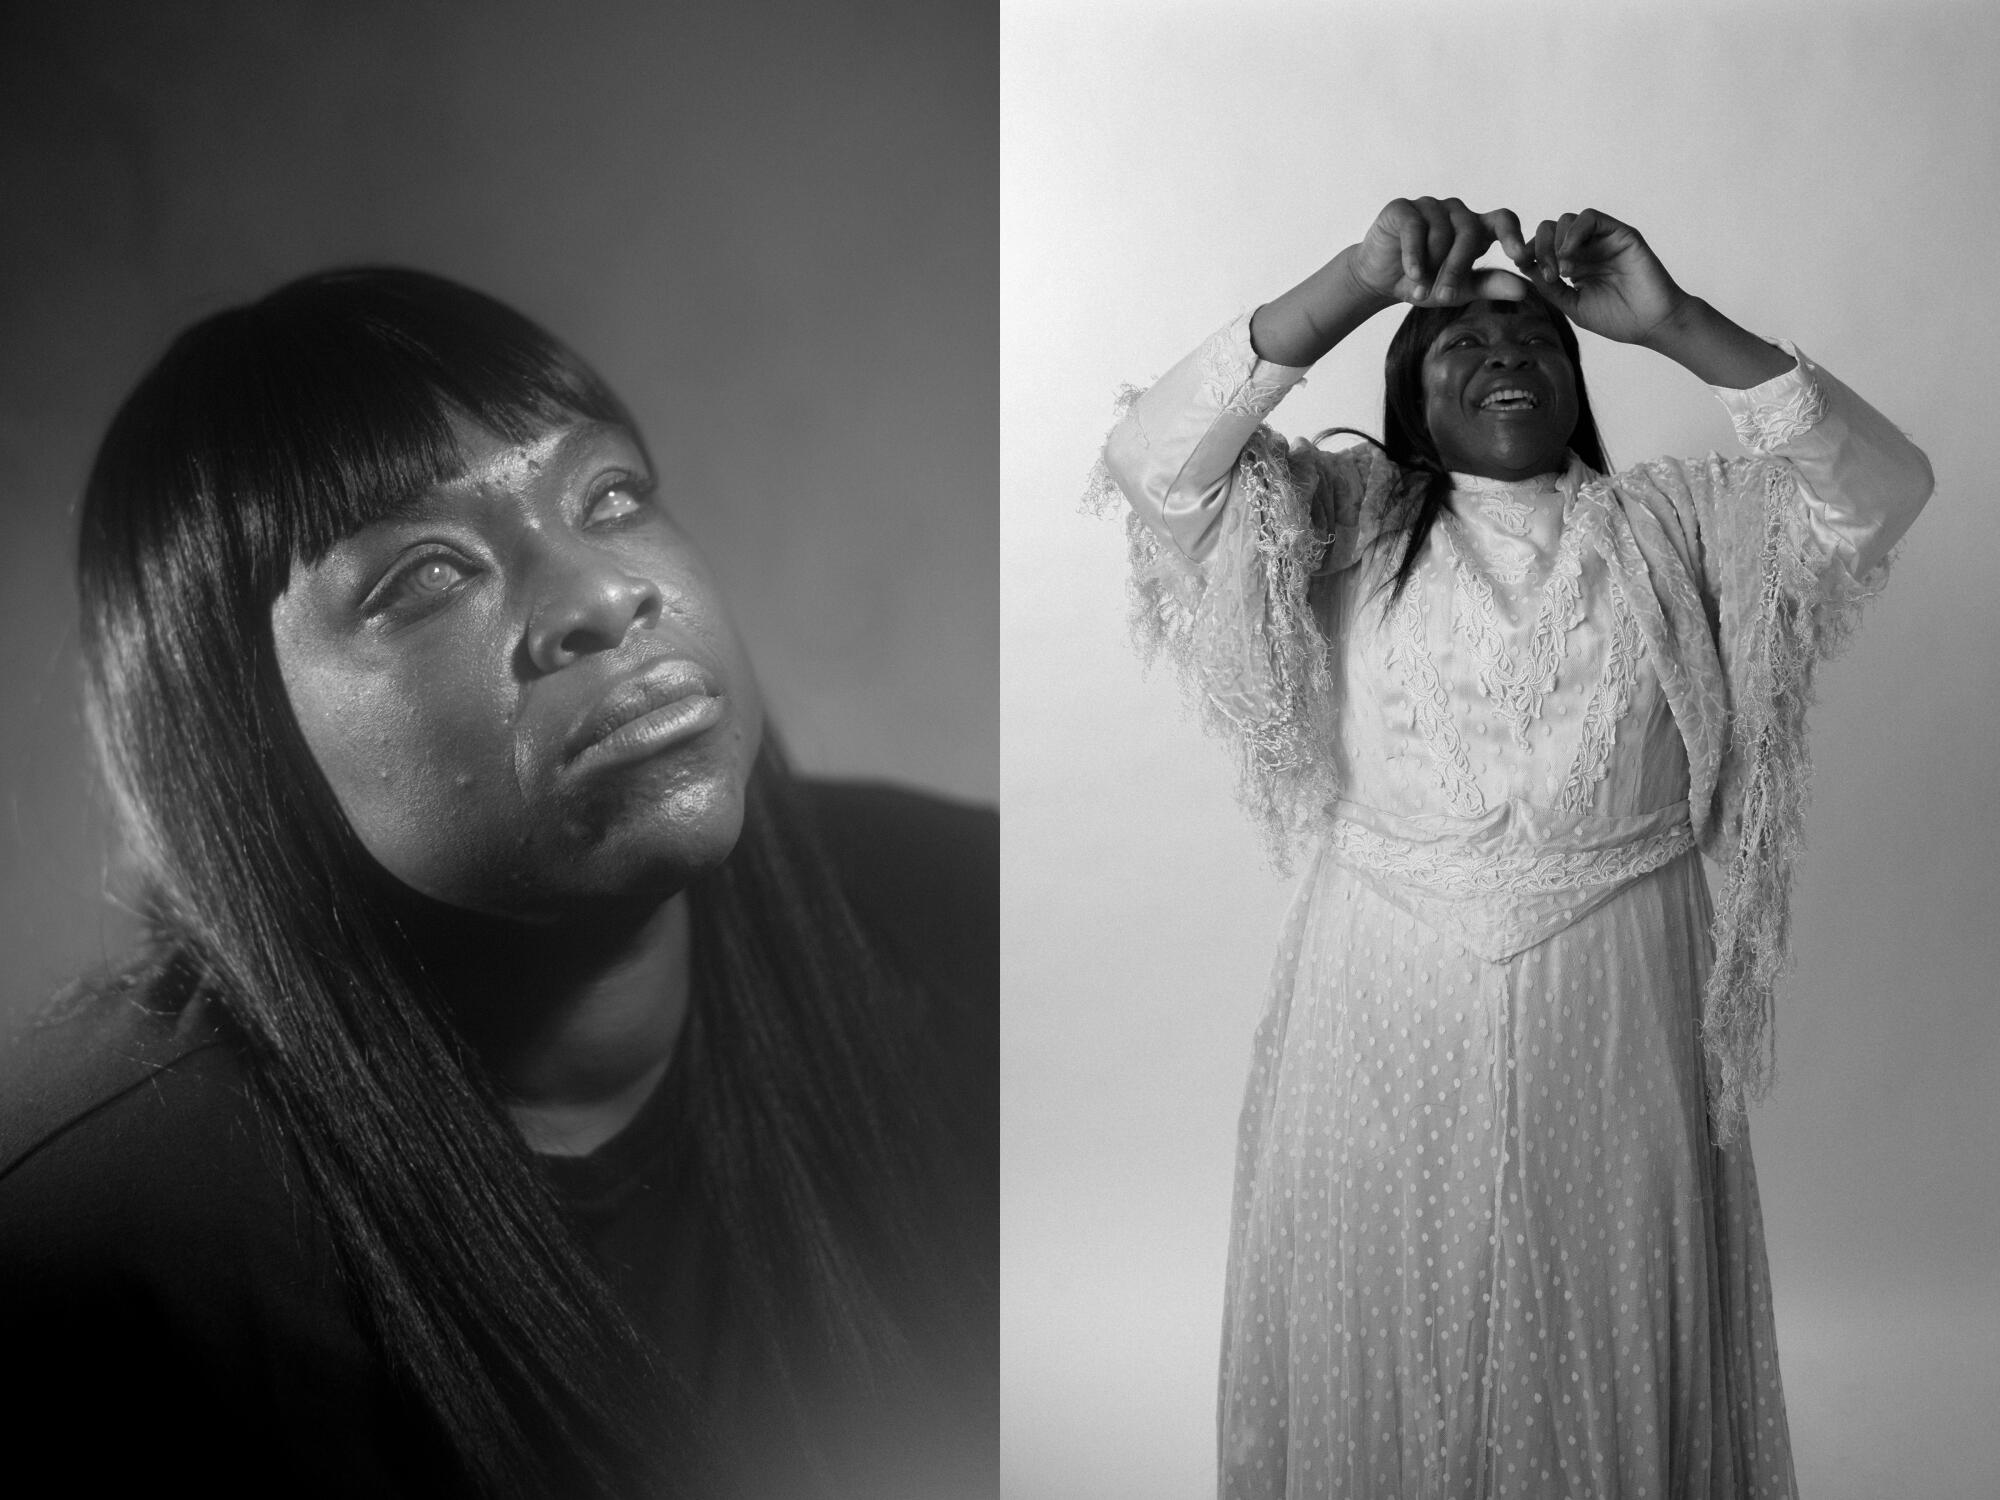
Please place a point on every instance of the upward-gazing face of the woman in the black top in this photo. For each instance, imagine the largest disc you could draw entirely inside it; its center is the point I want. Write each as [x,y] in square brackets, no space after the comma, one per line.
[523,687]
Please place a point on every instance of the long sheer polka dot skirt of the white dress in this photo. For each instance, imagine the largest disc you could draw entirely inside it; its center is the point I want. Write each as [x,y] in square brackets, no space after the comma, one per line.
[1483,1245]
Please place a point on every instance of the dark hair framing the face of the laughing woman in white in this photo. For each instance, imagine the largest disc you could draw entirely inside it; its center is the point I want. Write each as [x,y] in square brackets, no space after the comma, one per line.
[1407,435]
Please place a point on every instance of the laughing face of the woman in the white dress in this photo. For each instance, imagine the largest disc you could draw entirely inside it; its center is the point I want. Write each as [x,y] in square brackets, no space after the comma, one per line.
[1501,393]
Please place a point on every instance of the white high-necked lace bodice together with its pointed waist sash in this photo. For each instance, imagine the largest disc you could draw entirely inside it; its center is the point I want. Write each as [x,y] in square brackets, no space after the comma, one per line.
[1503,747]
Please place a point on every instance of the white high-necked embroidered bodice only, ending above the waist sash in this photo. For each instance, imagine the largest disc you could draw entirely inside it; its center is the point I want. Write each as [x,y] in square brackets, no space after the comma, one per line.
[1511,669]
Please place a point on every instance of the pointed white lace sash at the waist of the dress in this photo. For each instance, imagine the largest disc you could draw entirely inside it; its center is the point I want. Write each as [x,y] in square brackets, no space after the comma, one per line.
[1509,879]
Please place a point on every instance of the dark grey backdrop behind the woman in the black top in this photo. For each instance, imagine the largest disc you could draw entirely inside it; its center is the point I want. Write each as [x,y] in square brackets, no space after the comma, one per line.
[773,227]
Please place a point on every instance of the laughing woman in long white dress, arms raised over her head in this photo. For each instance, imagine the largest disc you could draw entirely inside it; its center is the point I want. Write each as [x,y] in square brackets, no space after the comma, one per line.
[1497,1227]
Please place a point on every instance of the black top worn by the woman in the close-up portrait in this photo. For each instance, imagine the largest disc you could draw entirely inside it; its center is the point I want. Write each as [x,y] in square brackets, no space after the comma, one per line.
[171,1307]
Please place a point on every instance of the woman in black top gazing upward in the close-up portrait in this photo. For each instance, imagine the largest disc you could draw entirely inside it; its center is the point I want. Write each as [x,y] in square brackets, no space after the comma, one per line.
[529,1087]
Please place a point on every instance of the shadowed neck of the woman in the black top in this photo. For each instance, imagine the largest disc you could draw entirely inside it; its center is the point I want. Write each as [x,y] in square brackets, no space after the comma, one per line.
[577,1023]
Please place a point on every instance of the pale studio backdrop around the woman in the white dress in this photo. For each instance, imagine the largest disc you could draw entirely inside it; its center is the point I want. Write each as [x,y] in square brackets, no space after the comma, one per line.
[1819,173]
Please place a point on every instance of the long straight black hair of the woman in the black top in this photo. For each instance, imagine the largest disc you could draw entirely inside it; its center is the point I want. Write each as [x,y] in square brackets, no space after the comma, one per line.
[263,437]
